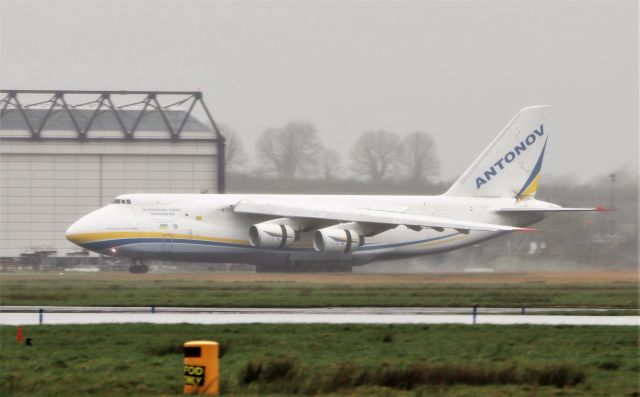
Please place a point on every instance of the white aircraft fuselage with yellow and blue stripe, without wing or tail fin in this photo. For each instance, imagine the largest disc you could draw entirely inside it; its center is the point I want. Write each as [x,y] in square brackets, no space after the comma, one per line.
[204,227]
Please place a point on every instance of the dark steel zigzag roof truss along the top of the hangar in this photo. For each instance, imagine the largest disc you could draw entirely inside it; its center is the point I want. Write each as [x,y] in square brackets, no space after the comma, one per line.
[106,110]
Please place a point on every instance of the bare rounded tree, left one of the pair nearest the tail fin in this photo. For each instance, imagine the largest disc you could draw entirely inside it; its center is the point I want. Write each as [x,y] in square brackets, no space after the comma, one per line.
[375,154]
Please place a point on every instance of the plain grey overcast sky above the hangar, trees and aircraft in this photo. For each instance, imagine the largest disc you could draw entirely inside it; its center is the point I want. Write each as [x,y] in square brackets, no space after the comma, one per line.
[458,69]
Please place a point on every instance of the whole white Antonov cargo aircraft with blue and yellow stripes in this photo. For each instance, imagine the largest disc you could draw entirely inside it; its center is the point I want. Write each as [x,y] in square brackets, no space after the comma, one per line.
[495,195]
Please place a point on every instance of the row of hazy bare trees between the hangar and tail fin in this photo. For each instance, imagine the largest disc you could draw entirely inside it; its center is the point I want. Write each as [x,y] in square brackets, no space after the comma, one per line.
[295,150]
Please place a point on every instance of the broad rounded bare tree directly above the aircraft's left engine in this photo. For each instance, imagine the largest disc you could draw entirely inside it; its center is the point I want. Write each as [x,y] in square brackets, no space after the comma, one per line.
[291,150]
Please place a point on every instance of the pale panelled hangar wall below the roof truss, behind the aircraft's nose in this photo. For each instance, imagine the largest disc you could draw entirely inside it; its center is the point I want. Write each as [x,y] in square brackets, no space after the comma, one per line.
[47,185]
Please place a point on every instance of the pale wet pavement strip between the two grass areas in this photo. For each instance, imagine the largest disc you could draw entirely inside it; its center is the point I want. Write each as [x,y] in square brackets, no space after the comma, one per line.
[29,315]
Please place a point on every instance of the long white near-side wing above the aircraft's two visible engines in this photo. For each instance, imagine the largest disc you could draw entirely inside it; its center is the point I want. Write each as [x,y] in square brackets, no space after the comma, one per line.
[363,215]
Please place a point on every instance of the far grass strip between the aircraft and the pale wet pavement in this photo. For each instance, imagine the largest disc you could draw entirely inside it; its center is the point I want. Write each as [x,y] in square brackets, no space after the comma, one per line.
[205,290]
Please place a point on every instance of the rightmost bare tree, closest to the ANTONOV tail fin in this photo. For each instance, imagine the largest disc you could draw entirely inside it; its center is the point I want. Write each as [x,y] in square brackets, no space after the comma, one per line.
[420,160]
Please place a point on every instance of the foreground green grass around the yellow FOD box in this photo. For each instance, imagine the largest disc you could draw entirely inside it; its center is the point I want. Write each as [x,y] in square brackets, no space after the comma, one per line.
[403,360]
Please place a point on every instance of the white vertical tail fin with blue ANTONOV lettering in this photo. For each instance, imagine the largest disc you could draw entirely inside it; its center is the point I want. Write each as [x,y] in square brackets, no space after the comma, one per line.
[510,165]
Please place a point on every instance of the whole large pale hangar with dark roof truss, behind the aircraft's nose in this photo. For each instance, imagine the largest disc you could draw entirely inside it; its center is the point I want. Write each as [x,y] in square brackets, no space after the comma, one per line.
[64,154]
